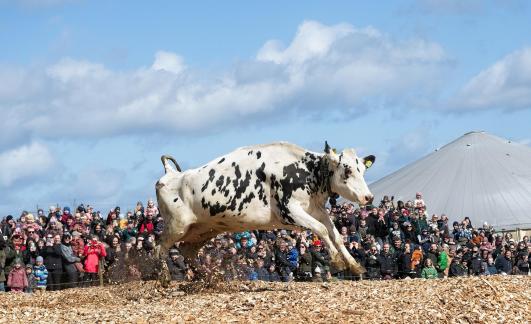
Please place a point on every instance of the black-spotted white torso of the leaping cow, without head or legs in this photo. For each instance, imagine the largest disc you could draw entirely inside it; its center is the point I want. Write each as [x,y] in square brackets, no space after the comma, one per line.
[249,180]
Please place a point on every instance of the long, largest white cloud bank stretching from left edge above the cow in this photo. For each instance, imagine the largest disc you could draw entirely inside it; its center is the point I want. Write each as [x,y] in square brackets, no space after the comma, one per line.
[339,69]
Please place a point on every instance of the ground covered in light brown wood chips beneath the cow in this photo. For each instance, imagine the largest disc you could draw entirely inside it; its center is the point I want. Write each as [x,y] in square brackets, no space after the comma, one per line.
[457,300]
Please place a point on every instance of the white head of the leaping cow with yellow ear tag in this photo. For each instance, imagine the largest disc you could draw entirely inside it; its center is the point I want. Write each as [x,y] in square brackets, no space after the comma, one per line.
[347,178]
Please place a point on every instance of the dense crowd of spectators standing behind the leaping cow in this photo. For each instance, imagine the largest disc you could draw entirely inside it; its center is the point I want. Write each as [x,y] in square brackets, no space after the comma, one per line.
[66,248]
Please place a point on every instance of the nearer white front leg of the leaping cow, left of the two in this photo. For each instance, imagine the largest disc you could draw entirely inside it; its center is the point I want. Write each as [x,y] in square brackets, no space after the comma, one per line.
[305,220]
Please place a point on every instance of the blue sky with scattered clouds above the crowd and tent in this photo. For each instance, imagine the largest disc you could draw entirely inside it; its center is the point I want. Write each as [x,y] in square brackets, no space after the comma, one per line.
[92,93]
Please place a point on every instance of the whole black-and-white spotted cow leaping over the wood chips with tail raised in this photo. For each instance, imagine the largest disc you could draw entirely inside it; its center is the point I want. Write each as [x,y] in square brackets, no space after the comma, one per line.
[261,187]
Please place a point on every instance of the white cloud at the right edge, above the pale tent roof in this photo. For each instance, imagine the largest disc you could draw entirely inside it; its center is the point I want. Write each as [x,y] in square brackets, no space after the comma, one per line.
[505,85]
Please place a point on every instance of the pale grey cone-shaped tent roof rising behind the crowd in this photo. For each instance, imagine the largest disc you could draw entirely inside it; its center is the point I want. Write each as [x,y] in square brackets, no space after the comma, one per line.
[478,175]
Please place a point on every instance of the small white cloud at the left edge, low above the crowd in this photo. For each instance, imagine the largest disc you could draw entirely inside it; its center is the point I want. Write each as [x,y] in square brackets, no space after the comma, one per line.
[23,162]
